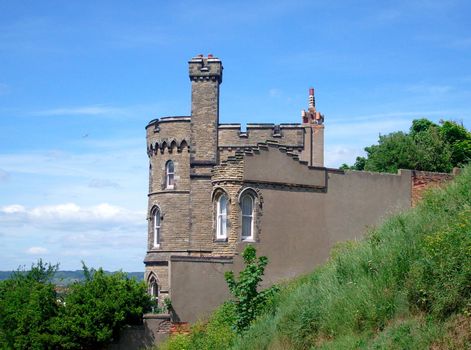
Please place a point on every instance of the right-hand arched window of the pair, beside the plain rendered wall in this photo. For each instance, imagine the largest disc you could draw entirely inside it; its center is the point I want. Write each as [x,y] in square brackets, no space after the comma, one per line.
[254,216]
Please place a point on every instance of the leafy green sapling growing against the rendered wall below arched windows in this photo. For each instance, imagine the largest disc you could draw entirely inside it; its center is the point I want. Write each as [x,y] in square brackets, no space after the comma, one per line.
[249,302]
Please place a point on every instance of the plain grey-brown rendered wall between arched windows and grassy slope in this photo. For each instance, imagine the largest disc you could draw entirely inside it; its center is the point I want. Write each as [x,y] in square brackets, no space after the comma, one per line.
[298,228]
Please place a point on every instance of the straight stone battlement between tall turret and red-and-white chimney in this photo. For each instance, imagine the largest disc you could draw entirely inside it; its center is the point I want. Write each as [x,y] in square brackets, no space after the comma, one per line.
[232,135]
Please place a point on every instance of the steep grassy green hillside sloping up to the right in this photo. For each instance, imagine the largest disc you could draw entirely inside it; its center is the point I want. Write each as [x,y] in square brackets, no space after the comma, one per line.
[407,285]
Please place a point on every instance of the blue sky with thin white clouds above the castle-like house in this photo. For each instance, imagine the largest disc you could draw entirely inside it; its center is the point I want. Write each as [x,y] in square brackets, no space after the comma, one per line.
[80,80]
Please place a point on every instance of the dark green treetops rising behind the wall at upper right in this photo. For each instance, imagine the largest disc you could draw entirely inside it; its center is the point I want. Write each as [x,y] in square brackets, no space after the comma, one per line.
[427,146]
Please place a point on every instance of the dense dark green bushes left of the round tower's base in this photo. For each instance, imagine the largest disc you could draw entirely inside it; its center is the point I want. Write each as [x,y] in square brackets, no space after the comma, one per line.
[34,316]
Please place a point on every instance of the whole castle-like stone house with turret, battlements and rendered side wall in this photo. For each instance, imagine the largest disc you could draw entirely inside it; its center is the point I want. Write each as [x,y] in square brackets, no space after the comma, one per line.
[214,188]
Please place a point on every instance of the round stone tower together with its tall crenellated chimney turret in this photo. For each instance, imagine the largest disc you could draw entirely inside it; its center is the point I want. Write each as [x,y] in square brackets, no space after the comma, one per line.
[182,151]
